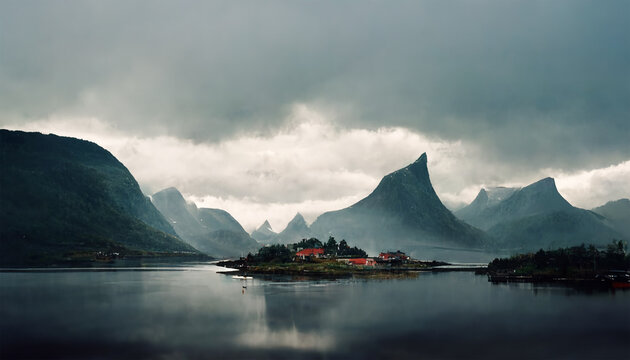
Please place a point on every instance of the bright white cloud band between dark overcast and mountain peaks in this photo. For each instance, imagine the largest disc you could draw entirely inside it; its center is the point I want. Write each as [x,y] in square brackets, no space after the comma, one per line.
[310,165]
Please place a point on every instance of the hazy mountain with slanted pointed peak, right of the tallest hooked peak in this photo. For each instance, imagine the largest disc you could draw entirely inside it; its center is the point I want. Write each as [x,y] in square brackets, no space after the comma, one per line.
[536,216]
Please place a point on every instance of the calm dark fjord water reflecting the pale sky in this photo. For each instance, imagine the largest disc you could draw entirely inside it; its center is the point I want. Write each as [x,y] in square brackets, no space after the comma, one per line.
[193,312]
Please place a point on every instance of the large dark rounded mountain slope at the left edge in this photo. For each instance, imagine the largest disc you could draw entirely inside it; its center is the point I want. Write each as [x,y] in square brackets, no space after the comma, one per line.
[64,198]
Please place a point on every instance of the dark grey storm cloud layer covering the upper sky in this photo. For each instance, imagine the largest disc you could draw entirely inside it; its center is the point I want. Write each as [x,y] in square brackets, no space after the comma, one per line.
[542,84]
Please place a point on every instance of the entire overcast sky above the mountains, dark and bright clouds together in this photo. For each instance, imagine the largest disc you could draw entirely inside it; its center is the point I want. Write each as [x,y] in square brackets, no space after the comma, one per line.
[267,109]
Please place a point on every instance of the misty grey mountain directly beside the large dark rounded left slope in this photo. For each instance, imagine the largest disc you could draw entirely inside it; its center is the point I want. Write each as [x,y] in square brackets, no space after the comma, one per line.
[213,231]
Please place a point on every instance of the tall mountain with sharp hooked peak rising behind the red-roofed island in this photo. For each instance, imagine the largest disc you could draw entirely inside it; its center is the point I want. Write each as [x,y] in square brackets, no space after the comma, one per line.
[403,211]
